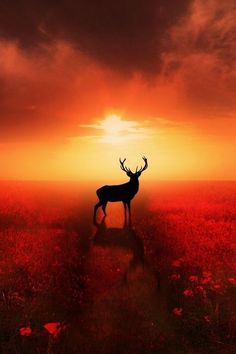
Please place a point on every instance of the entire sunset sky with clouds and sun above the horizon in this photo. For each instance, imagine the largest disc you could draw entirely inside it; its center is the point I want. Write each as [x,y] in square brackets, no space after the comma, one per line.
[83,83]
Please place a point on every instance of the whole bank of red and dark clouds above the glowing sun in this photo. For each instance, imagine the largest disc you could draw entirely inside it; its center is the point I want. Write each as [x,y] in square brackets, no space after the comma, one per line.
[67,62]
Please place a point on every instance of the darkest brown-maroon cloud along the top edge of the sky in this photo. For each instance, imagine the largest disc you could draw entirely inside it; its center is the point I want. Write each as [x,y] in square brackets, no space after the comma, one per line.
[126,35]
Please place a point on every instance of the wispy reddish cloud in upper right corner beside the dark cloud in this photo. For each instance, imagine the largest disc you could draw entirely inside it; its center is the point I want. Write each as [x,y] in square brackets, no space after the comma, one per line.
[202,56]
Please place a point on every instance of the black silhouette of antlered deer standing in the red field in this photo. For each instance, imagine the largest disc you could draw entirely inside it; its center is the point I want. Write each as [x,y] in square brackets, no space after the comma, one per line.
[121,192]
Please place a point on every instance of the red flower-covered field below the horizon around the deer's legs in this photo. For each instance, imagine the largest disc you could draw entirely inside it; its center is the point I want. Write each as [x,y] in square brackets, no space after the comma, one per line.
[166,284]
